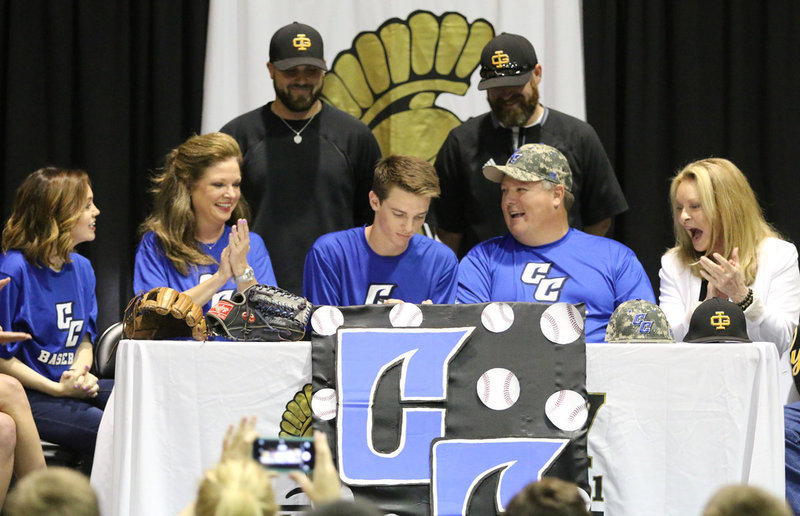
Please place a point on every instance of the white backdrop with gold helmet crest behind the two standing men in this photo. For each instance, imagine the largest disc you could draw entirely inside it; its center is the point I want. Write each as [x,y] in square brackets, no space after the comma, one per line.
[408,70]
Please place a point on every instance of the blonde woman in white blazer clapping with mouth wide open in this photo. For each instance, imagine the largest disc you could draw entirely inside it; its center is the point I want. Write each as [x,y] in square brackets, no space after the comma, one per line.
[725,248]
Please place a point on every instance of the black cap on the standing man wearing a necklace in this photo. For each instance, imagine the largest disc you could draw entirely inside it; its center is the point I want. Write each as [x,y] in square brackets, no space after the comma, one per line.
[296,44]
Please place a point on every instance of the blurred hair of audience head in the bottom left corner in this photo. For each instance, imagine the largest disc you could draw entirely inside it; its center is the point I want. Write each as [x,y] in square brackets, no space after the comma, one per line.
[54,491]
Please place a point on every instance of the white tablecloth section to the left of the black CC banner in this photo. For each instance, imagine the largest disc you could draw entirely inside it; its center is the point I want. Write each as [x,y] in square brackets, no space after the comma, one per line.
[171,405]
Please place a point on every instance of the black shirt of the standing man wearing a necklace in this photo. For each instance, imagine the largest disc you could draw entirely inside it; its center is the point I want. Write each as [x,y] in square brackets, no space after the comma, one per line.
[299,192]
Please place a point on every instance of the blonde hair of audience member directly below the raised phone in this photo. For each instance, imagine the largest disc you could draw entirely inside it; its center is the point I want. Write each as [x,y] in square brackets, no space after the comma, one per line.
[237,487]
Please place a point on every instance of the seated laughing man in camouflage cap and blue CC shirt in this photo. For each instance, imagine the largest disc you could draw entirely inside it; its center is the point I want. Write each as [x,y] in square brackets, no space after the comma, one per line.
[542,259]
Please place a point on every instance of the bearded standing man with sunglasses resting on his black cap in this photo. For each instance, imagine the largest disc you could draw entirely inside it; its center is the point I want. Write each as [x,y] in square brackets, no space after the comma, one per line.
[468,210]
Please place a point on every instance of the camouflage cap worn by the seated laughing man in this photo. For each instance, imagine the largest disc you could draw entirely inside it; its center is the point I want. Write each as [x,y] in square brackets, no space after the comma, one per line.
[533,162]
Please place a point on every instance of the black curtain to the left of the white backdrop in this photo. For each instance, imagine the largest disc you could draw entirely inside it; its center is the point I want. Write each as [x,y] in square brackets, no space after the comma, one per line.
[104,85]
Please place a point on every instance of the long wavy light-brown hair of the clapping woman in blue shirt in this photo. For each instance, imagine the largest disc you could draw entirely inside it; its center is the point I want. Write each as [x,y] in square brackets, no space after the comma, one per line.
[172,219]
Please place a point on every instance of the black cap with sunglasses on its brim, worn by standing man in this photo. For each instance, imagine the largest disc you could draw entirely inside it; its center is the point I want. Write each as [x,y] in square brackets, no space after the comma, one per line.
[507,60]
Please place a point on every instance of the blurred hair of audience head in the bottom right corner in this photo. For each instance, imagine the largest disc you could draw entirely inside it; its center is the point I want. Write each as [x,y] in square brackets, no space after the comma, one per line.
[744,500]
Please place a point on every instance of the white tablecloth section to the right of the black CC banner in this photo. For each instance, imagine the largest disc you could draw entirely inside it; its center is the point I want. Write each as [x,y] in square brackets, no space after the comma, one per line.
[681,420]
